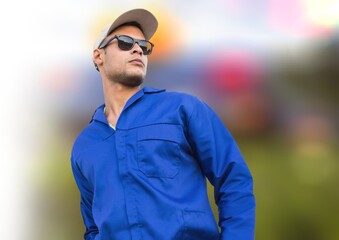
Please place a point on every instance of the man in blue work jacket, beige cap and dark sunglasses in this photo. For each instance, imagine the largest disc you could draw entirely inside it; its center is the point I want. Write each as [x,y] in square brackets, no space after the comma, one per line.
[142,162]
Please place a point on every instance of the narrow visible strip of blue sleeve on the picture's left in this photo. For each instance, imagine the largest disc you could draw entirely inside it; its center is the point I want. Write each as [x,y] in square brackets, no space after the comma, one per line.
[86,197]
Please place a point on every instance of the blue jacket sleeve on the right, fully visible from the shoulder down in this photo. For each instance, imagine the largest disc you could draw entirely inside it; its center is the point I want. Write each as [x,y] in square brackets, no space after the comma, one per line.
[222,163]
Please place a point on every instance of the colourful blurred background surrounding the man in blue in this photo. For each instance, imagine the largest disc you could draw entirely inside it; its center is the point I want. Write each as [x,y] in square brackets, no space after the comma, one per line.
[269,68]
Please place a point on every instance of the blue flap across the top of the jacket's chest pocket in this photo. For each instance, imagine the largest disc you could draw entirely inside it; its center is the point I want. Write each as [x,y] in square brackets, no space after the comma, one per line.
[168,132]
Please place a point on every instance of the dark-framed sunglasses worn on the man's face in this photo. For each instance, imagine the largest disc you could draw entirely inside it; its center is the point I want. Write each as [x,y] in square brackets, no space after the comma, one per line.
[126,43]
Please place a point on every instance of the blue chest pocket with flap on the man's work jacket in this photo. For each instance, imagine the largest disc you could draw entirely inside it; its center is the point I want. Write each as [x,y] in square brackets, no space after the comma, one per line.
[158,150]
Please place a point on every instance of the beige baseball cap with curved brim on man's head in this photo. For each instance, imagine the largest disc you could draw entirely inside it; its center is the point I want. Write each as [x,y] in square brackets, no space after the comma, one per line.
[146,19]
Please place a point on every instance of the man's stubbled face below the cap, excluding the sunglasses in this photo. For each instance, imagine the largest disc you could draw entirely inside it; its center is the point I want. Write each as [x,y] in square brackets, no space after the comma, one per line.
[125,67]
